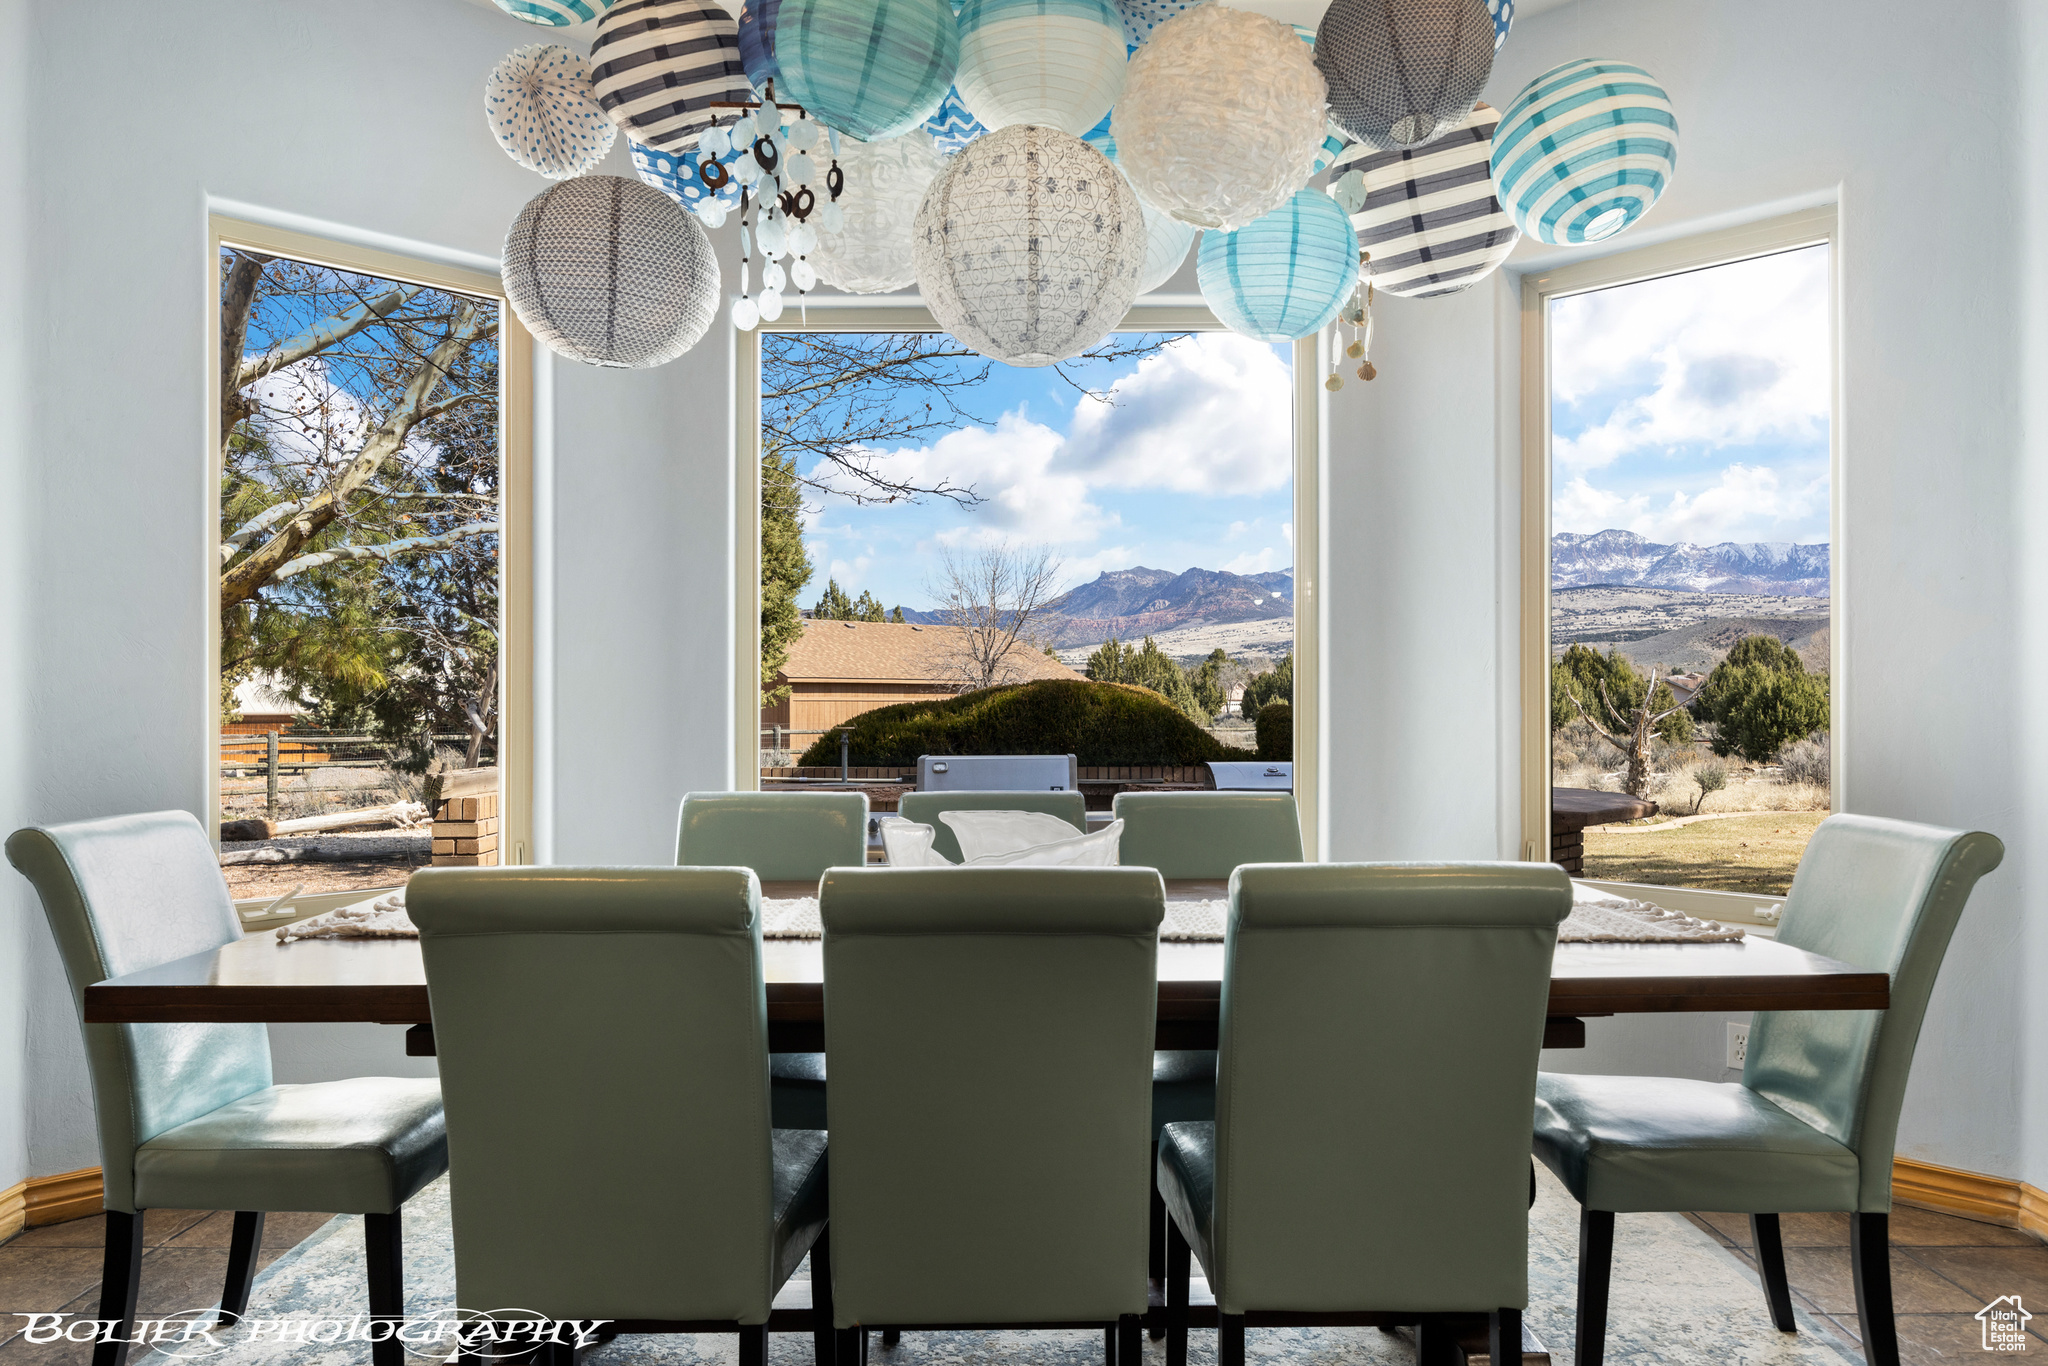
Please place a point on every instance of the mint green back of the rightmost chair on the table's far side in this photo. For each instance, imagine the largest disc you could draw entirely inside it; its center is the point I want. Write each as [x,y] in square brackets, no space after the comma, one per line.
[1207,835]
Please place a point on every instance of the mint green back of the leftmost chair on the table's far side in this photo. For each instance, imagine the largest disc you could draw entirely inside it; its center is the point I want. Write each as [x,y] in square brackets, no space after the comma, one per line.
[783,837]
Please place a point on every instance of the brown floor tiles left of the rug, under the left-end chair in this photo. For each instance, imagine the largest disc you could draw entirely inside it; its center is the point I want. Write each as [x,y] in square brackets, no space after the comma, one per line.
[58,1269]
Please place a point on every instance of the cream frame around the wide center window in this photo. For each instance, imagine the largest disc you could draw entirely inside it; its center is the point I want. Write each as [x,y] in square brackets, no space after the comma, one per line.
[830,314]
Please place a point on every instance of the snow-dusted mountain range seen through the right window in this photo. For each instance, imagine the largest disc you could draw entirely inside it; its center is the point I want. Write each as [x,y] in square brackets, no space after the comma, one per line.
[1730,568]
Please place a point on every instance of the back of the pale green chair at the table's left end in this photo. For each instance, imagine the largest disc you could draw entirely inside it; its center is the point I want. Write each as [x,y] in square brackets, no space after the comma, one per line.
[122,896]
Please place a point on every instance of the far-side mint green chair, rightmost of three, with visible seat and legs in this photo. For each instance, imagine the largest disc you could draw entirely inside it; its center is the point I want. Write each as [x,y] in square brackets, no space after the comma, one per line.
[1197,837]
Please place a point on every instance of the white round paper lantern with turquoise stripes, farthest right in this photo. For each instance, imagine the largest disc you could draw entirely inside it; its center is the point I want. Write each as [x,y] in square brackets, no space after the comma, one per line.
[1584,151]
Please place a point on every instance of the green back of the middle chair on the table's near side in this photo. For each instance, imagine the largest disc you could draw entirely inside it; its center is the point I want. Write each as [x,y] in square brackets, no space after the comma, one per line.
[990,1037]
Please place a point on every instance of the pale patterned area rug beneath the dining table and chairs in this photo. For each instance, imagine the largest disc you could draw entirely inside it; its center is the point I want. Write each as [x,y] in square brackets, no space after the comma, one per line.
[1678,1299]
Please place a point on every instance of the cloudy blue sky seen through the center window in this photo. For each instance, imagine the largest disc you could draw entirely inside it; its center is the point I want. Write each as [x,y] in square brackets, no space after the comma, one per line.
[1193,468]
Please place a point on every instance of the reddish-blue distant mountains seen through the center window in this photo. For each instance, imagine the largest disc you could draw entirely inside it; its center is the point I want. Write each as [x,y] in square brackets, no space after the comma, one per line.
[1138,603]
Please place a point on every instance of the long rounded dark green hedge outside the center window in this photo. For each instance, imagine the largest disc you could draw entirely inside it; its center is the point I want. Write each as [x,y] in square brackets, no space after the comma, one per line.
[1097,722]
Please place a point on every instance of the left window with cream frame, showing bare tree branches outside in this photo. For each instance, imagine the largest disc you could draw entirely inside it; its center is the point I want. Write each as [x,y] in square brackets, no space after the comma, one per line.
[366,611]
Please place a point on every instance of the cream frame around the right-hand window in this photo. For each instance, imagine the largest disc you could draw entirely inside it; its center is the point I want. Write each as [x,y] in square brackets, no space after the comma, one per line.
[1539,288]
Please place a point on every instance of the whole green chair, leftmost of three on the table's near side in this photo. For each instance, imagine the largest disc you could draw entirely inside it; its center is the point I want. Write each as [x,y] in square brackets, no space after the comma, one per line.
[603,1043]
